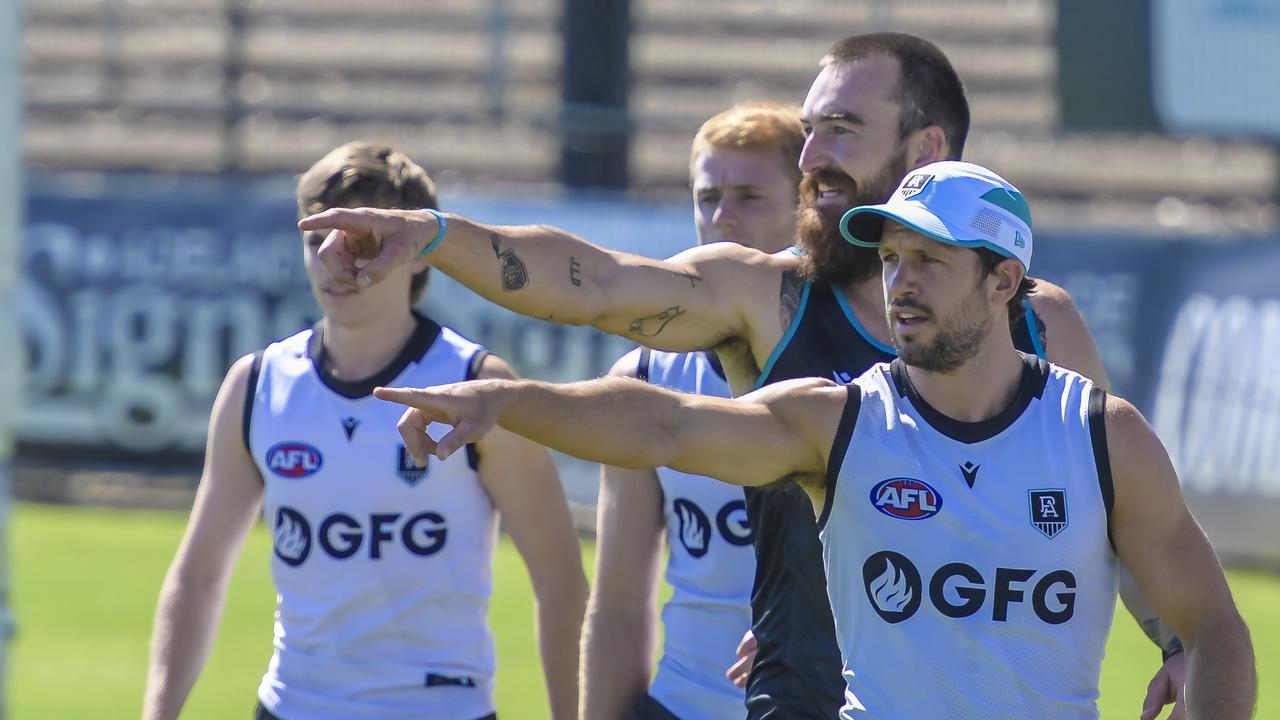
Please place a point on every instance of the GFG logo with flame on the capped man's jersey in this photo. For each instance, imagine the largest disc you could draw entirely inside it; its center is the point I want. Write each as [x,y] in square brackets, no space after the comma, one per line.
[957,590]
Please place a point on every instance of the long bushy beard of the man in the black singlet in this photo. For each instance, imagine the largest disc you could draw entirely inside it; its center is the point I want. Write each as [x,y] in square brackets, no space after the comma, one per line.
[829,258]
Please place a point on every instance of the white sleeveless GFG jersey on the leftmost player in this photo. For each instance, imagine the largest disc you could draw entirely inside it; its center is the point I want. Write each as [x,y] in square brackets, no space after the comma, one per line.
[382,567]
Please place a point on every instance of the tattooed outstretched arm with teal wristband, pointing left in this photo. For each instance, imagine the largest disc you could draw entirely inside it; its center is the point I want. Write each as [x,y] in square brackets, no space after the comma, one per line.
[692,302]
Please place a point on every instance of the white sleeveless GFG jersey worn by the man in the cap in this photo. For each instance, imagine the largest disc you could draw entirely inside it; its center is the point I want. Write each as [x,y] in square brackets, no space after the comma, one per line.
[970,566]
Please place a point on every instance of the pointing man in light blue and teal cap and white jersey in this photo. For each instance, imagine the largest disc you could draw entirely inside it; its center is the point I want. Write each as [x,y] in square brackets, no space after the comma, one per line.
[988,594]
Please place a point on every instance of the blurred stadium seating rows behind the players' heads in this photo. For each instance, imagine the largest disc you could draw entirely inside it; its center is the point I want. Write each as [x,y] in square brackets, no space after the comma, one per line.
[473,88]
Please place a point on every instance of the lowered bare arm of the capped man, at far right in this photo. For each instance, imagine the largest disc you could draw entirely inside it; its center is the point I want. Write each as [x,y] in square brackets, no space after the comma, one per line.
[1177,569]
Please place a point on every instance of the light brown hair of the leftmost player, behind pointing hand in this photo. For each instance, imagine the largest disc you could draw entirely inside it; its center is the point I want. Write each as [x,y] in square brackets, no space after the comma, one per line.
[373,176]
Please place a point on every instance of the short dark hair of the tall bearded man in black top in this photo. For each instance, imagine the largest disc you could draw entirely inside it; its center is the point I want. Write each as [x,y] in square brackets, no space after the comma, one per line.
[930,92]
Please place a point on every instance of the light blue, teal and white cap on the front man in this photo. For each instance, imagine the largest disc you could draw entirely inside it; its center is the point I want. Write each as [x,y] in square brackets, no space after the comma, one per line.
[954,203]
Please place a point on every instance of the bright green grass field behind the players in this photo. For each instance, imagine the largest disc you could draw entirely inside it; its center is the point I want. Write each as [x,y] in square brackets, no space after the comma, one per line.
[85,585]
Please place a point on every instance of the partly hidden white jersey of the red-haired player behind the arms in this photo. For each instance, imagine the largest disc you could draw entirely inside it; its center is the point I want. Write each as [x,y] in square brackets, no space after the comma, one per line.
[711,568]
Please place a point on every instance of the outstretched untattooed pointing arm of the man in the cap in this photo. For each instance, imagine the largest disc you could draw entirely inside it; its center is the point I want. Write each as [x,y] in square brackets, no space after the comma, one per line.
[785,430]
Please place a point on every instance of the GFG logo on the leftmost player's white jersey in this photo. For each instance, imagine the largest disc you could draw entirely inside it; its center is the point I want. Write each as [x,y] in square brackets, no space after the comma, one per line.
[340,536]
